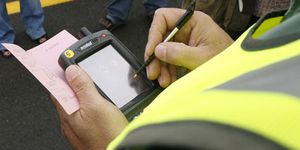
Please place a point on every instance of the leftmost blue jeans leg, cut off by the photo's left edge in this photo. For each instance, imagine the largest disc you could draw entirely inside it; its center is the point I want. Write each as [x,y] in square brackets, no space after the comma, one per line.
[7,34]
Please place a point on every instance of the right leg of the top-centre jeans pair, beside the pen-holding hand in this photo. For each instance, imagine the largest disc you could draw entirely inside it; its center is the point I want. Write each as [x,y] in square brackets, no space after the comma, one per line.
[152,5]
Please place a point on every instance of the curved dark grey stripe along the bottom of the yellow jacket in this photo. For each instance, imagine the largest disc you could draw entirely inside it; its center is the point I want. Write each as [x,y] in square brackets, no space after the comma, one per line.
[195,135]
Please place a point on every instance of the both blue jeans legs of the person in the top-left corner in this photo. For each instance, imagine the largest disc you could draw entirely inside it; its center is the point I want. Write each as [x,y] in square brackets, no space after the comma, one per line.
[32,18]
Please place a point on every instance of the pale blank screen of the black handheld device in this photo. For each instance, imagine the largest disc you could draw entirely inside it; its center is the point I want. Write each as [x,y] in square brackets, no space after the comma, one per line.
[113,75]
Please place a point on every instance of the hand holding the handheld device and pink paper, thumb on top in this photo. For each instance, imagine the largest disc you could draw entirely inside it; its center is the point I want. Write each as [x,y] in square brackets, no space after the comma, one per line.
[97,122]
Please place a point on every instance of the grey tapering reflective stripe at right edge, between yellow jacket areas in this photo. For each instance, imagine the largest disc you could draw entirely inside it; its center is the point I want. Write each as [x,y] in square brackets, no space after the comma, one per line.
[281,77]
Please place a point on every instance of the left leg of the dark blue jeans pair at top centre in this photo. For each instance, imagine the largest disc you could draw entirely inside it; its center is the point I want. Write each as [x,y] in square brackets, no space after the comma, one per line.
[118,10]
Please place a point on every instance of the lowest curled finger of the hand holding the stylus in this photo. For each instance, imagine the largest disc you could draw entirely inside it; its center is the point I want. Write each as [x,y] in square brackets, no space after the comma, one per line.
[164,78]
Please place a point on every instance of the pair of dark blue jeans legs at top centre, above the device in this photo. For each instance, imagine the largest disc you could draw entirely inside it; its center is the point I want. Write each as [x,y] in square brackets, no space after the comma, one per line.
[118,10]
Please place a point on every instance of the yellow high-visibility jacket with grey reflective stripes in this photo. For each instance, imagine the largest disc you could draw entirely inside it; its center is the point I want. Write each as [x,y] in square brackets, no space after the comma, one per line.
[247,97]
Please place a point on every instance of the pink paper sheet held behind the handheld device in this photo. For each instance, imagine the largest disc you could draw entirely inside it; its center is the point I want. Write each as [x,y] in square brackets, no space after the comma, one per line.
[42,62]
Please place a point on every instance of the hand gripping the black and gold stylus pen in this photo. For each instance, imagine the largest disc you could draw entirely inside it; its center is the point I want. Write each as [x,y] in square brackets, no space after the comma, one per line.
[195,43]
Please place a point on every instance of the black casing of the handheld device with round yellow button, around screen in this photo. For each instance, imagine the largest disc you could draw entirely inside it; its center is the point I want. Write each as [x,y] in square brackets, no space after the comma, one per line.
[91,44]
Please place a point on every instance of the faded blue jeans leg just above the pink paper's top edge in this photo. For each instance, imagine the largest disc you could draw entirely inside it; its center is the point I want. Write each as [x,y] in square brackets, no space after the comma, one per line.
[33,18]
